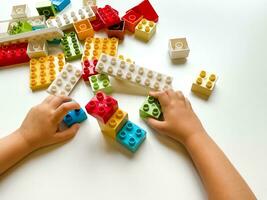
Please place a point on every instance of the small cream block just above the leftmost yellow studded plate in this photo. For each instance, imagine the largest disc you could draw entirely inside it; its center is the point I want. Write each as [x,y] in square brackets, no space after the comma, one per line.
[37,49]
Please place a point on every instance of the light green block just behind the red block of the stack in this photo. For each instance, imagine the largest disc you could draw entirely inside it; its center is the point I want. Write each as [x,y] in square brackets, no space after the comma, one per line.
[100,82]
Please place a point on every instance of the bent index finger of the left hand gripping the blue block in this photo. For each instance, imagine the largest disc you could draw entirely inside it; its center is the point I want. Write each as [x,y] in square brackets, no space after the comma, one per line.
[63,109]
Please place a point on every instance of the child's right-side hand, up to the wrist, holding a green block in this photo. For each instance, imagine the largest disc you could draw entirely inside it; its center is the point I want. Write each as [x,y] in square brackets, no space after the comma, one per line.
[180,121]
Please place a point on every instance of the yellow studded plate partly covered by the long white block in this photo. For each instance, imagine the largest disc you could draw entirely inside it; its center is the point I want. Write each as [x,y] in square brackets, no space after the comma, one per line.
[93,47]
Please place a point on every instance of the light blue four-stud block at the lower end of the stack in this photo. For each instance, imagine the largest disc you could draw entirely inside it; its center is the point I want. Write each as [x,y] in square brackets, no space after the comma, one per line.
[131,136]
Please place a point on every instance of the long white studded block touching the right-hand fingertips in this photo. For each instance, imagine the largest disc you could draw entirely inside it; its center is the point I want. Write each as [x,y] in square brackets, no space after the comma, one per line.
[120,69]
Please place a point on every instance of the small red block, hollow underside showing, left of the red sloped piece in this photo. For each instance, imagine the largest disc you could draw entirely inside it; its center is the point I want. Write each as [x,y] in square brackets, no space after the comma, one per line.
[131,19]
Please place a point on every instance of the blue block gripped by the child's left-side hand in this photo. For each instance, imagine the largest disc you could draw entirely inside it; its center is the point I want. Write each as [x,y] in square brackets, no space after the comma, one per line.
[75,116]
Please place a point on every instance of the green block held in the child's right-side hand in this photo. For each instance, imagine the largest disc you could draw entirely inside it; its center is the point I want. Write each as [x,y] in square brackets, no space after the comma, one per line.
[150,108]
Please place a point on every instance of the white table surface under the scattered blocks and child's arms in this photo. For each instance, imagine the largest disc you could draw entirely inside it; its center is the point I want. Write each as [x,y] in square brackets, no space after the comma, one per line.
[226,37]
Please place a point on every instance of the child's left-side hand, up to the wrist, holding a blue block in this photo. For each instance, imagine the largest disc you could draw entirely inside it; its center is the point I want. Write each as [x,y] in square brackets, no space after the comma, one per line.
[41,125]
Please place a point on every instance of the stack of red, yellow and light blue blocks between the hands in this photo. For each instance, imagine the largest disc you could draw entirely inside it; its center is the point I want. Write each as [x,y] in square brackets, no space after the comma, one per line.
[114,122]
